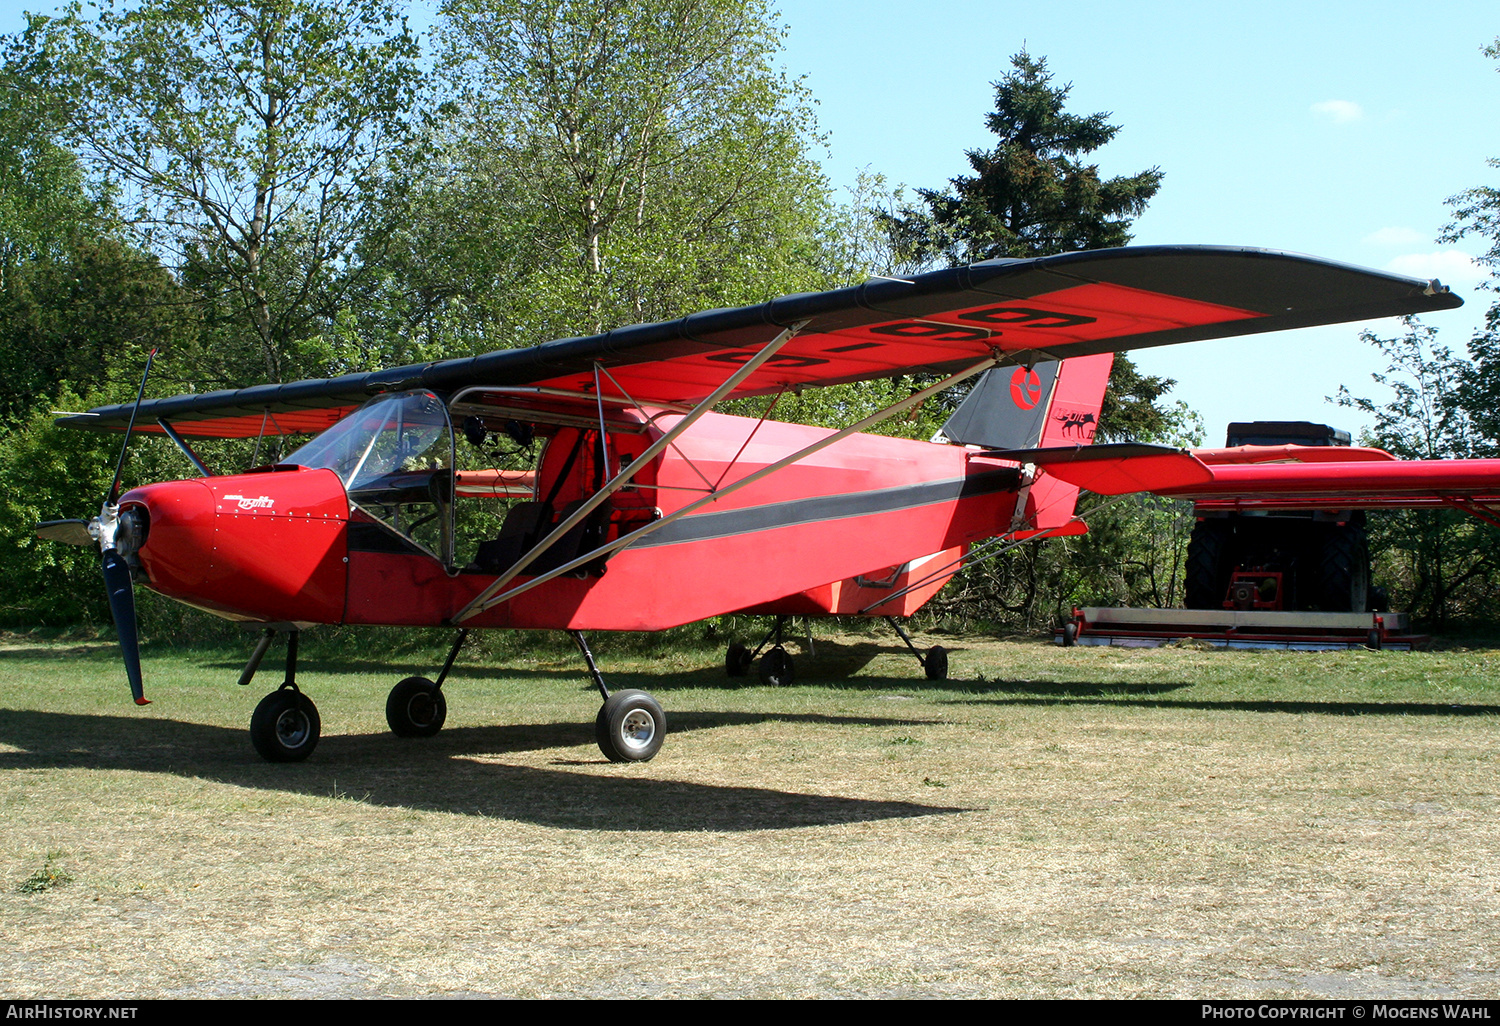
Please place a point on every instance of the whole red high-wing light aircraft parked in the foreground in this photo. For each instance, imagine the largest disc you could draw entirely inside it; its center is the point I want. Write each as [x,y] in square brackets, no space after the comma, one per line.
[644,509]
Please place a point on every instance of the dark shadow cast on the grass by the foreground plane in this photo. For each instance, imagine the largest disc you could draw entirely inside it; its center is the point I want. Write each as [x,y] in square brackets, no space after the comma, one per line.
[449,773]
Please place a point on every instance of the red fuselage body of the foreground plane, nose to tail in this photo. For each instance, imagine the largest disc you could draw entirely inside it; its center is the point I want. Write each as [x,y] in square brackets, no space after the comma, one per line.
[826,535]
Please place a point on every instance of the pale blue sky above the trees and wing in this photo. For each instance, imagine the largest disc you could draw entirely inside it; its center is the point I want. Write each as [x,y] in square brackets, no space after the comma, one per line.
[1325,128]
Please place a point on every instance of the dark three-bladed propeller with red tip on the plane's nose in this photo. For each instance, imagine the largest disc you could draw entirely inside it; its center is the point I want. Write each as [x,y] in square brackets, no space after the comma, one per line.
[118,536]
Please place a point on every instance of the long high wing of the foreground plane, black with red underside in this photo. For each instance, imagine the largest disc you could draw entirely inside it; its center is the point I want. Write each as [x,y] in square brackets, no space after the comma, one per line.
[1027,310]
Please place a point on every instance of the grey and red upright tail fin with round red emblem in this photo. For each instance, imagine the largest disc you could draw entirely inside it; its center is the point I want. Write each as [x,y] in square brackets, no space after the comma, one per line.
[1052,404]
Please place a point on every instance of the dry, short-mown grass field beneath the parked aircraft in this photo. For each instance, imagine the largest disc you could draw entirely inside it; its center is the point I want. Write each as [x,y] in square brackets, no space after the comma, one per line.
[1051,823]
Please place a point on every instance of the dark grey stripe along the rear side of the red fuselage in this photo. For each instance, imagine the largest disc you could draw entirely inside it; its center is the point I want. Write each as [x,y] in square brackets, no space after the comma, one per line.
[829,508]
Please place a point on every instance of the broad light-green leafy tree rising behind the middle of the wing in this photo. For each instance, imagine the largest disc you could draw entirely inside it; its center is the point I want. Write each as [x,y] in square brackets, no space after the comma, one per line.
[605,163]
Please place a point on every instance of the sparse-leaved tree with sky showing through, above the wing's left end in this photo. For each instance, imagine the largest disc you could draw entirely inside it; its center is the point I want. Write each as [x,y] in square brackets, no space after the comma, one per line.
[244,140]
